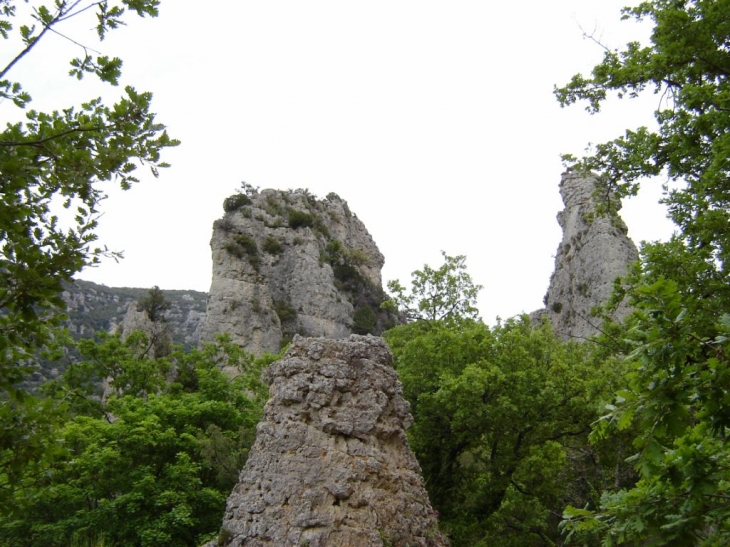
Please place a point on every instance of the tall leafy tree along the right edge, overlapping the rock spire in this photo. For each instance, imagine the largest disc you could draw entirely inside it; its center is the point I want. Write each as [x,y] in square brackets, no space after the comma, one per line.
[676,342]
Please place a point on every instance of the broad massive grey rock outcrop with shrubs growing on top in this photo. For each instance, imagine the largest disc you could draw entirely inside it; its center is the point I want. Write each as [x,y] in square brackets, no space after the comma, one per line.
[286,263]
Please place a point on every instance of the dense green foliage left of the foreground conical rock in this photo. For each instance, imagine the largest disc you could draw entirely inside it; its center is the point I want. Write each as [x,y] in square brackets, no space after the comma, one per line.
[153,465]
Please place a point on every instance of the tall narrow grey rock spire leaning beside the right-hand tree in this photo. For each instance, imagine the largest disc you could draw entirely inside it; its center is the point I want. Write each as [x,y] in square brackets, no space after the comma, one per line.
[595,250]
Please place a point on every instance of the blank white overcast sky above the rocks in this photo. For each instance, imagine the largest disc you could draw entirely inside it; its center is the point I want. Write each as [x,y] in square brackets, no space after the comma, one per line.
[435,120]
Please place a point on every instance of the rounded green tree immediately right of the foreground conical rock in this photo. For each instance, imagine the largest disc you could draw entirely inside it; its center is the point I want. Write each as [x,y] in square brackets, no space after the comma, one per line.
[501,420]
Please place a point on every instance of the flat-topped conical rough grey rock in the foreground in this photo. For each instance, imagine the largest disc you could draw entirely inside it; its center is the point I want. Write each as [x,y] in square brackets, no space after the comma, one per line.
[331,465]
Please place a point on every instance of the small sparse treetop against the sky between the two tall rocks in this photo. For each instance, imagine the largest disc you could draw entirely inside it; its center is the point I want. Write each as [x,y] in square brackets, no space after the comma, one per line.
[444,294]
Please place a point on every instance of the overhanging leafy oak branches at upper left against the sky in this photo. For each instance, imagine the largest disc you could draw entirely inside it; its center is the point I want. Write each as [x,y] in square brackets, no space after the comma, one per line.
[61,156]
